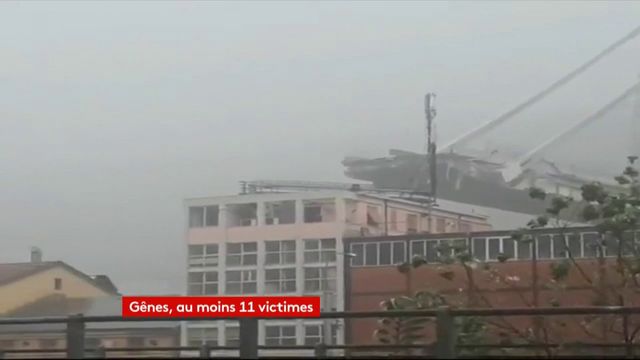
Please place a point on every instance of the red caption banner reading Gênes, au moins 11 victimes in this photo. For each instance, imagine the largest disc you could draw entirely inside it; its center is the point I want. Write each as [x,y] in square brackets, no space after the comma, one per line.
[222,306]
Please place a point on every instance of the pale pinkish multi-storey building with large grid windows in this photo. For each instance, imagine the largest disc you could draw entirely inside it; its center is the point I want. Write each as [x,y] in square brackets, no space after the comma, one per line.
[291,244]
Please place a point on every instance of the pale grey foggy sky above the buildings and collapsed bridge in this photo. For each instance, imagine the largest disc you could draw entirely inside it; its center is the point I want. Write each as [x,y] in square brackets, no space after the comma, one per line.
[112,113]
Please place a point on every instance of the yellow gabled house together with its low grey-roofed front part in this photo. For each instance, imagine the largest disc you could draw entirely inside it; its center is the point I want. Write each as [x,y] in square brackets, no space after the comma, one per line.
[39,288]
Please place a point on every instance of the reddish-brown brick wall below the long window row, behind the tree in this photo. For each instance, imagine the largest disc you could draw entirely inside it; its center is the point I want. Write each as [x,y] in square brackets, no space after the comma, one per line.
[368,286]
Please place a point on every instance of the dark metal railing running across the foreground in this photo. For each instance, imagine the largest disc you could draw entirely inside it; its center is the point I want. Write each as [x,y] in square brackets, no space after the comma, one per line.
[444,347]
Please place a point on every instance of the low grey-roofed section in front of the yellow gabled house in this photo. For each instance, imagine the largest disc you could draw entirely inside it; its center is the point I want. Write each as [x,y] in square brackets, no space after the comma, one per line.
[49,340]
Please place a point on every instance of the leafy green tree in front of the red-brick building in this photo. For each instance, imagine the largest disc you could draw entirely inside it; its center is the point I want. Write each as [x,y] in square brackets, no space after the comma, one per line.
[611,276]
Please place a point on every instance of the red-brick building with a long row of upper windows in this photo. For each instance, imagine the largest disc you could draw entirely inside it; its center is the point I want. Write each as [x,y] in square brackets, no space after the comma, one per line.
[372,276]
